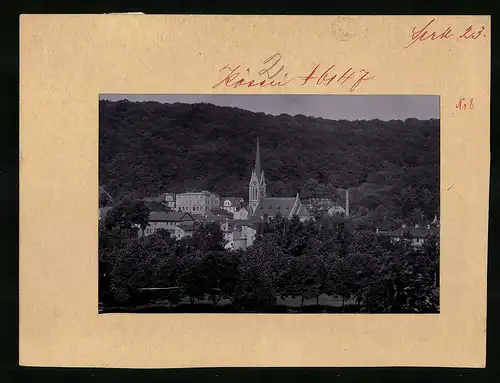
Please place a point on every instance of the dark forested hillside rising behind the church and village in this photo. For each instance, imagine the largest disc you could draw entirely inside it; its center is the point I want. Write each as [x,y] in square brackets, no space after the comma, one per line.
[390,167]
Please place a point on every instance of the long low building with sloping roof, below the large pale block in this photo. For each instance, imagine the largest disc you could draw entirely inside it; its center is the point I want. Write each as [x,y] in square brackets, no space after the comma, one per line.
[177,224]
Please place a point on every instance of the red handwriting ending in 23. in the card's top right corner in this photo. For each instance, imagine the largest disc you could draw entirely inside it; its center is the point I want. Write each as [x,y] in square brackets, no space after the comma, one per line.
[430,32]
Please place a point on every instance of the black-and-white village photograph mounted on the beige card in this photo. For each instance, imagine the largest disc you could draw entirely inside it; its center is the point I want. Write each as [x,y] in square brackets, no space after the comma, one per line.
[269,203]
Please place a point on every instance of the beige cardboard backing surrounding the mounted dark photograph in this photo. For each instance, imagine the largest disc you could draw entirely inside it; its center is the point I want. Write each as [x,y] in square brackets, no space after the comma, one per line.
[67,60]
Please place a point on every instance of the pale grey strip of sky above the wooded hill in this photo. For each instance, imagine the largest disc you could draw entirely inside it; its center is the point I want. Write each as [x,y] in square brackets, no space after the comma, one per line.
[335,107]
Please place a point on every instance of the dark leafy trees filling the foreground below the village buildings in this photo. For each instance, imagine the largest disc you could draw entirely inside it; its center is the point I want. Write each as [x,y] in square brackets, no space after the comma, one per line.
[289,259]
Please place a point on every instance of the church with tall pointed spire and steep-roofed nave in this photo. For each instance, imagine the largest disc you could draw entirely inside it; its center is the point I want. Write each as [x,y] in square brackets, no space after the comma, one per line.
[260,205]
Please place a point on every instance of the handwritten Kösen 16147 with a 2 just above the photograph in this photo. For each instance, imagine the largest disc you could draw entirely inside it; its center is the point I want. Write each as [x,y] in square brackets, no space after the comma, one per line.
[273,74]
